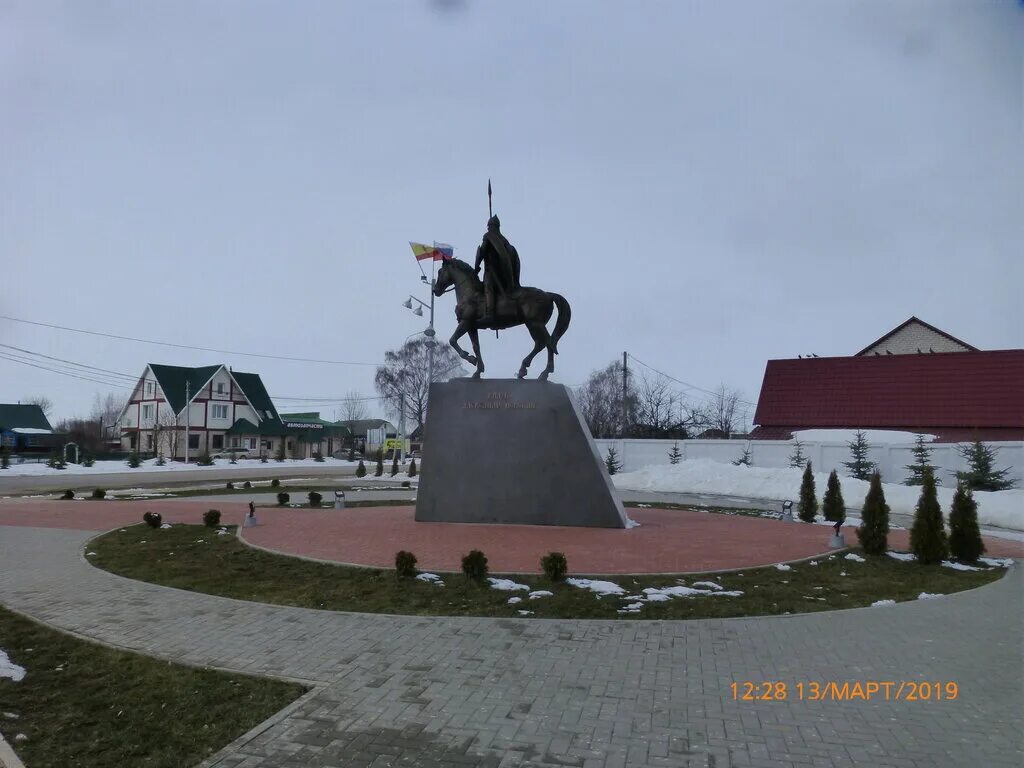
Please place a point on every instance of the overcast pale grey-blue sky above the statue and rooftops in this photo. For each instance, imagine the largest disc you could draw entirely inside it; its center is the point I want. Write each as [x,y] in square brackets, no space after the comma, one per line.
[710,185]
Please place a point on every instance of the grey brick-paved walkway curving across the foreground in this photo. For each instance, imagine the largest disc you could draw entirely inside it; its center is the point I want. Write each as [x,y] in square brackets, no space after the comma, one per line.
[418,692]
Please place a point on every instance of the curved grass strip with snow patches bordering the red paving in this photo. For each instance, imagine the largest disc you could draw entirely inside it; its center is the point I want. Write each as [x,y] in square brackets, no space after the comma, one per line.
[220,565]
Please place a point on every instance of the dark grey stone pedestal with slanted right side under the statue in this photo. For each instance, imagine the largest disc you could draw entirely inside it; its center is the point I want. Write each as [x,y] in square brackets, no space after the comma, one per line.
[509,451]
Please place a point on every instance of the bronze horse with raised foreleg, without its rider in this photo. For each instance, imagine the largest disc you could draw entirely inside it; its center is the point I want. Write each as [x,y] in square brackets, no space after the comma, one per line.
[529,307]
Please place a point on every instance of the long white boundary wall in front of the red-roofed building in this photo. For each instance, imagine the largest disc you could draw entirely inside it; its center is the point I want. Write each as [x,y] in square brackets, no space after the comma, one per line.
[891,458]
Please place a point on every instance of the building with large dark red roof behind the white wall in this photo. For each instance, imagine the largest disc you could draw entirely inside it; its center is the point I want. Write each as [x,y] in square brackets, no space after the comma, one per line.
[956,396]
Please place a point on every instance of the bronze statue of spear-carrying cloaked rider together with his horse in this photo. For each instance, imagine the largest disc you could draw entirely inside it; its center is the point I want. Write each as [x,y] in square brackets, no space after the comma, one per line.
[500,302]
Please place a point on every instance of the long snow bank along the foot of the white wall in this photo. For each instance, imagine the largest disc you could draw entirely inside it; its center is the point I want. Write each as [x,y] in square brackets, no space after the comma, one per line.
[1004,508]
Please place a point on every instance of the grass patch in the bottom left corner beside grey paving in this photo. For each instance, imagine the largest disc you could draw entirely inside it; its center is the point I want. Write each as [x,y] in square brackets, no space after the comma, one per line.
[86,706]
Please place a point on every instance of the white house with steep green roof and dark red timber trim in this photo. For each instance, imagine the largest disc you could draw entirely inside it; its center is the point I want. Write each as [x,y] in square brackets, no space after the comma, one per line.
[222,412]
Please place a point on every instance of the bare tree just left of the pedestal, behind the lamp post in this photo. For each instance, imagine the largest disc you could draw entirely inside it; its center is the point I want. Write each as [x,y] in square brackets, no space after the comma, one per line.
[404,376]
